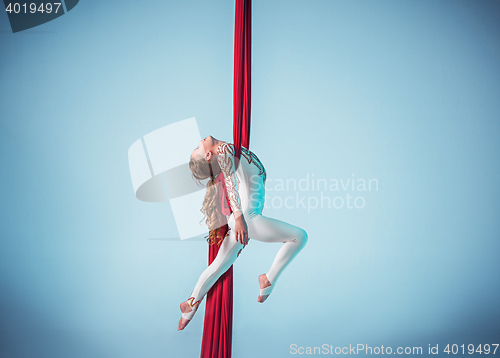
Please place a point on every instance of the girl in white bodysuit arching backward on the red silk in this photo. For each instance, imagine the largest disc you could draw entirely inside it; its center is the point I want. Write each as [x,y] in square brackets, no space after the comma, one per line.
[246,193]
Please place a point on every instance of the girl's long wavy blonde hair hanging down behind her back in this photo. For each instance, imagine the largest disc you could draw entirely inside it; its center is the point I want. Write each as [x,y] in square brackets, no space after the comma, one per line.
[201,170]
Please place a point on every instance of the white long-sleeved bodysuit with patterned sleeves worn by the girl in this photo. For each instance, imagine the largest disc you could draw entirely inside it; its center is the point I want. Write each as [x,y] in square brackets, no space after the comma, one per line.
[246,193]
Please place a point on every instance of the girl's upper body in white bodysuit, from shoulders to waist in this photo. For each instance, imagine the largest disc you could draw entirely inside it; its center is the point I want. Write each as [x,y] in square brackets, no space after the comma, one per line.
[246,185]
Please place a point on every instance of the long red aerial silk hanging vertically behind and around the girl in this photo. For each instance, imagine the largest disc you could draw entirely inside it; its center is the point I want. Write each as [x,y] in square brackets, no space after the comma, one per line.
[218,325]
